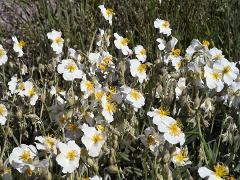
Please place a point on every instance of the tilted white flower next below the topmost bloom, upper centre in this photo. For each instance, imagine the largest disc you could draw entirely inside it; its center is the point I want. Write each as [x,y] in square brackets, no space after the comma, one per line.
[122,44]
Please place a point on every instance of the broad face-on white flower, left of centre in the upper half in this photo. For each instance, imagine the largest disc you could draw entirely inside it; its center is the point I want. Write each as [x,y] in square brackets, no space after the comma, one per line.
[70,70]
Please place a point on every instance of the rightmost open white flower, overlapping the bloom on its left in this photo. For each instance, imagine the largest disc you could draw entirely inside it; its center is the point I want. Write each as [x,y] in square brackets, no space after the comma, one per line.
[228,70]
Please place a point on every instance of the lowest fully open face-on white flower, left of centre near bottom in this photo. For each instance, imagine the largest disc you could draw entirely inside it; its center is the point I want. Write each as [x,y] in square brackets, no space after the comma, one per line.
[69,156]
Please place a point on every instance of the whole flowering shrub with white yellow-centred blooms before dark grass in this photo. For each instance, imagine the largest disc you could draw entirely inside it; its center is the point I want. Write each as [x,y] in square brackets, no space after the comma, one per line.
[93,115]
